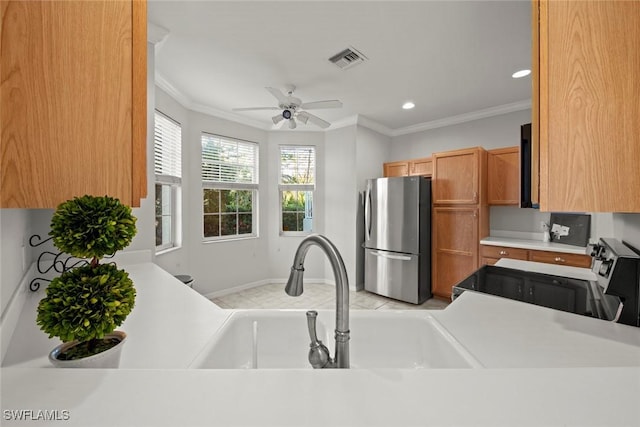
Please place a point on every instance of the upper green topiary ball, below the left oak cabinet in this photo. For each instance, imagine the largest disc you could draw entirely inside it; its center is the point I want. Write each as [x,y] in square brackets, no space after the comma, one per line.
[92,226]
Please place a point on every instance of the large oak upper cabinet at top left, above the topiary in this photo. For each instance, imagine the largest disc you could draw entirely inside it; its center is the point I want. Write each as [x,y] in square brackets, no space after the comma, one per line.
[73,115]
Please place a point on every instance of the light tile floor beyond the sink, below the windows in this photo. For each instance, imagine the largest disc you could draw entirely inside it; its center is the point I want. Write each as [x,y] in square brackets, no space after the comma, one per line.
[315,296]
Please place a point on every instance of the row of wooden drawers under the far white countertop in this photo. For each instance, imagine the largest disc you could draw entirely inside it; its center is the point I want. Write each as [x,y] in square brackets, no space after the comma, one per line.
[491,254]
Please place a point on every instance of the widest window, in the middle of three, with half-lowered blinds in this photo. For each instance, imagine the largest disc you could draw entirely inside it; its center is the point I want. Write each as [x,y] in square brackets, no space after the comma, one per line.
[229,187]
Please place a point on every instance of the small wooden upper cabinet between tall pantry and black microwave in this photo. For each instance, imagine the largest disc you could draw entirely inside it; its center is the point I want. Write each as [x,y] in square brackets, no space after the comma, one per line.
[503,176]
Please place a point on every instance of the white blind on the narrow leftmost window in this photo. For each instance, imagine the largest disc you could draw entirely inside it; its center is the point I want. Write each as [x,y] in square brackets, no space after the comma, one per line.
[167,147]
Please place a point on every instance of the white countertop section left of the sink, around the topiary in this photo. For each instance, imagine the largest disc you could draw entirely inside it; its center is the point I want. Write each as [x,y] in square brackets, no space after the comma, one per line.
[166,329]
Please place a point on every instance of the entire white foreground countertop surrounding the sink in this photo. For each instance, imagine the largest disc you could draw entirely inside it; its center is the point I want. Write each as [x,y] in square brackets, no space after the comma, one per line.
[543,367]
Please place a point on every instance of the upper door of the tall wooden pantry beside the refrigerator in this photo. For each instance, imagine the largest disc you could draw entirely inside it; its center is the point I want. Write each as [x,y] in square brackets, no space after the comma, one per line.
[459,178]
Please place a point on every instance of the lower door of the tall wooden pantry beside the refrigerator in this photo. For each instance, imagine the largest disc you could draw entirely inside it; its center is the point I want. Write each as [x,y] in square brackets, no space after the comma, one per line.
[455,247]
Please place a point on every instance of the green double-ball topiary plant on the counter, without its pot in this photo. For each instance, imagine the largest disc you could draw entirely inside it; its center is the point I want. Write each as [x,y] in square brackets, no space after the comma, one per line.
[88,302]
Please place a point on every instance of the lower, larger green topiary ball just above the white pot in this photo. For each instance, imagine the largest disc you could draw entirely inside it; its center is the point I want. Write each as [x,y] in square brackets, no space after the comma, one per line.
[86,303]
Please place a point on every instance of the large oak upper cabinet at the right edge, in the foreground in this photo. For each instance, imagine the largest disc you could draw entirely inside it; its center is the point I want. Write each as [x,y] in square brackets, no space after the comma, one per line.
[585,104]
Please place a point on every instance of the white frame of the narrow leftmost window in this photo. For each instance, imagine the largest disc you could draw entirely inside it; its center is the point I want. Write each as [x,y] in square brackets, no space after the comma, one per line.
[174,183]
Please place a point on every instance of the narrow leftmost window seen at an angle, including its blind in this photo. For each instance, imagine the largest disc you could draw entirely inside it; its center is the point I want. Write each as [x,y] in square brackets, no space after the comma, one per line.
[168,171]
